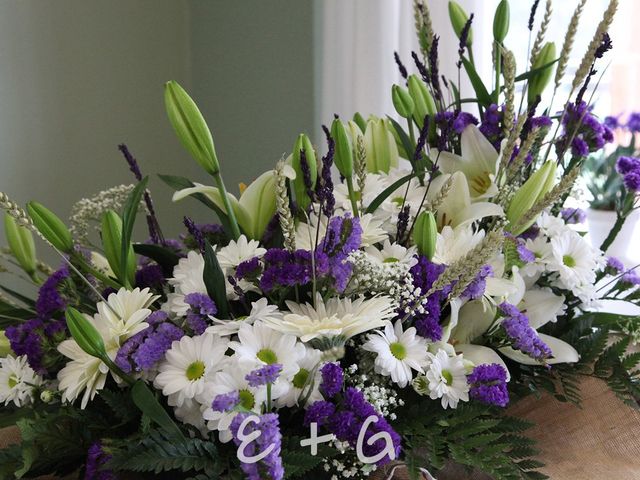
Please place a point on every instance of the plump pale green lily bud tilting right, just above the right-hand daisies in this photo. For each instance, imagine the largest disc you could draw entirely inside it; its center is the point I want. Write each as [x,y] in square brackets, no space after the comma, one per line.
[536,187]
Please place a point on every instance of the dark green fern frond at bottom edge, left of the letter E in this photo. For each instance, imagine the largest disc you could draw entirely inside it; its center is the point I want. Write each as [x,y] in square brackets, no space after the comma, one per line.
[157,452]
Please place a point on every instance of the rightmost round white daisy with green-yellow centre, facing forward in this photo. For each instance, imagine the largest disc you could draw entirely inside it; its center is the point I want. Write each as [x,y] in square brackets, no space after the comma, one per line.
[573,259]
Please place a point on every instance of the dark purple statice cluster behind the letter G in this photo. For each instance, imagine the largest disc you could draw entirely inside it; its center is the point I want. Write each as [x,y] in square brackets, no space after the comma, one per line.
[346,419]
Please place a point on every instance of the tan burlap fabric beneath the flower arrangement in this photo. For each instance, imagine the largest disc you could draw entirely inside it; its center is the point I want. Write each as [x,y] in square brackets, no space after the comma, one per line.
[600,441]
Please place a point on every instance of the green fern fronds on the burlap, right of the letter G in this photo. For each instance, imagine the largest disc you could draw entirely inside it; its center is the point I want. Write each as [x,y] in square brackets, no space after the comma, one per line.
[474,435]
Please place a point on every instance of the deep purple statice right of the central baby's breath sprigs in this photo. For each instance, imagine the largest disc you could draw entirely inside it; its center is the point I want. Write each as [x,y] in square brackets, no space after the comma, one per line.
[424,274]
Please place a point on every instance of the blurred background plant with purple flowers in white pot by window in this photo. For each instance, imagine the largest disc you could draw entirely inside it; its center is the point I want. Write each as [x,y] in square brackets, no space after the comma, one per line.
[612,178]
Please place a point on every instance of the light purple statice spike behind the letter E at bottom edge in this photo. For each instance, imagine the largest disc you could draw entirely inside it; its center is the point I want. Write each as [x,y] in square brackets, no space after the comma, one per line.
[270,437]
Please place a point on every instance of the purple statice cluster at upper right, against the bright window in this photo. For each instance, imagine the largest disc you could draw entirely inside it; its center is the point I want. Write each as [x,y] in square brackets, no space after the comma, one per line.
[587,132]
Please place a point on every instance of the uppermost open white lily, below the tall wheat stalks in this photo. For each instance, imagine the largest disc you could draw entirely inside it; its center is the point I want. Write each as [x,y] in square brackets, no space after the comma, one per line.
[478,163]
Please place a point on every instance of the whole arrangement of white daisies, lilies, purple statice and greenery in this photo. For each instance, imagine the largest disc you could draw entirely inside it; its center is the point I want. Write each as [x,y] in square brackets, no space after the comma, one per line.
[381,303]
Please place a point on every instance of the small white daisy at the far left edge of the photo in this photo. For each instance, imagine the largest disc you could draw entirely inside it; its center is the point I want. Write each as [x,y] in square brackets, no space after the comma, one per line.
[17,380]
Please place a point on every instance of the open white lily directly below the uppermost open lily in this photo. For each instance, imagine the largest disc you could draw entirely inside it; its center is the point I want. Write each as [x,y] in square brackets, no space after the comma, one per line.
[457,208]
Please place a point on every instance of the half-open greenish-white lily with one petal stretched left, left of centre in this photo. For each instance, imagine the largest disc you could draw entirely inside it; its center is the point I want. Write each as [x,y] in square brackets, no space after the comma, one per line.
[254,209]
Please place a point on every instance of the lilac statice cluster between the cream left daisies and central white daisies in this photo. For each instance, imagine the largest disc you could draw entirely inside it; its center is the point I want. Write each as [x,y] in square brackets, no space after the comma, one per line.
[146,348]
